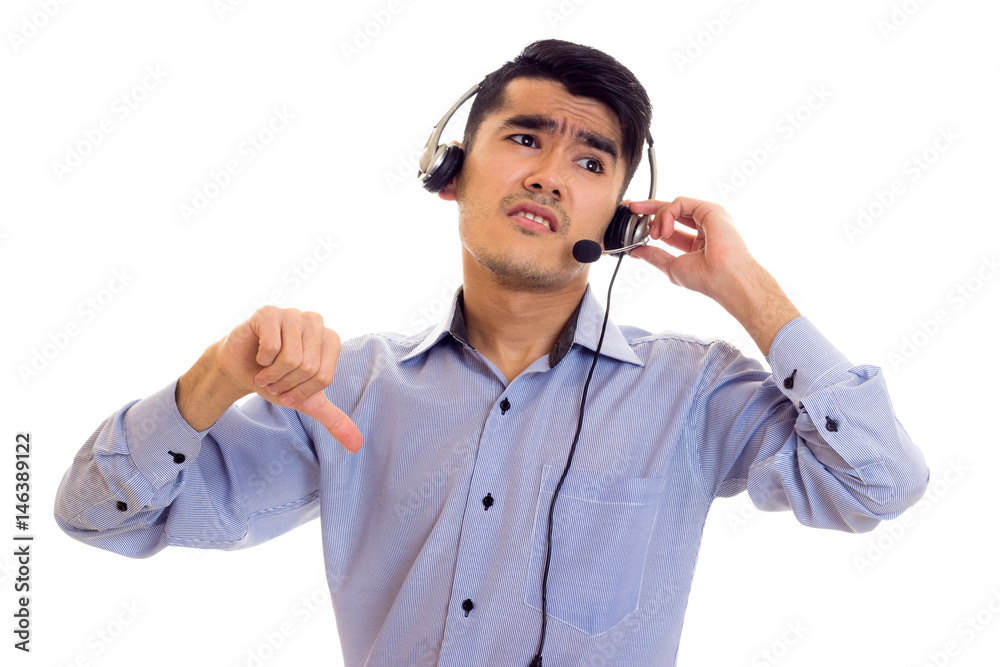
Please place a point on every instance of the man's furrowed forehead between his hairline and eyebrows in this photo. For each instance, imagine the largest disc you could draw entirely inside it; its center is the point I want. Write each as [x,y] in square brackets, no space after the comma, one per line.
[550,98]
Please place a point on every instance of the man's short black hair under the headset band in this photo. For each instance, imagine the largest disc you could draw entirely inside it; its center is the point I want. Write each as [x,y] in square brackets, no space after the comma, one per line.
[584,72]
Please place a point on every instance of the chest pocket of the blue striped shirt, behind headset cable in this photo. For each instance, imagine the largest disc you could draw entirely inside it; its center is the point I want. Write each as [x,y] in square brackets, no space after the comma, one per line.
[600,535]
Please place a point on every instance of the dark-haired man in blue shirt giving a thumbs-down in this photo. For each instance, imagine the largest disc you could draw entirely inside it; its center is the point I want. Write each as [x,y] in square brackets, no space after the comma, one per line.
[435,531]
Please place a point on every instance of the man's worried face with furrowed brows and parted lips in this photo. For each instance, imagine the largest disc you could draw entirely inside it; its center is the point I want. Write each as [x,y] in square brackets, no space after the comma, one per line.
[552,152]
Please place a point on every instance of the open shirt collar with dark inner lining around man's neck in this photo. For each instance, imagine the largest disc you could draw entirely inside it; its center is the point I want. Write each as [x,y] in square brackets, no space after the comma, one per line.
[583,328]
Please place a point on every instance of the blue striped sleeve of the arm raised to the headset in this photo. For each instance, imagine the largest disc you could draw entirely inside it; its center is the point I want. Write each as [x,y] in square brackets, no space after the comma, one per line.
[817,436]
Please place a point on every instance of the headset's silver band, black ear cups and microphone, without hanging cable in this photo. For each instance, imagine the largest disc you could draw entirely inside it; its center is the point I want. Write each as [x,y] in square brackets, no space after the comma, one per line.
[440,163]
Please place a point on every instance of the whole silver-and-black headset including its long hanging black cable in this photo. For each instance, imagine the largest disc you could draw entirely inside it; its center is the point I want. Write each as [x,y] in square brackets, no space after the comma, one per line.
[439,164]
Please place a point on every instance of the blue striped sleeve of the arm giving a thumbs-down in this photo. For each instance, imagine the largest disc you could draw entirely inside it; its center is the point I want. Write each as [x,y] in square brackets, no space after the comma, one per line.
[146,480]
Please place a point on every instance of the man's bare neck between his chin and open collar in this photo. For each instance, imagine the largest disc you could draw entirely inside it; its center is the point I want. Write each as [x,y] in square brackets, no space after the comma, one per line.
[512,327]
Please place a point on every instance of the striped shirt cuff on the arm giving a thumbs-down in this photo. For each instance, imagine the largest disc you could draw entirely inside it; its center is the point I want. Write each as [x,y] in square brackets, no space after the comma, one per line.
[158,439]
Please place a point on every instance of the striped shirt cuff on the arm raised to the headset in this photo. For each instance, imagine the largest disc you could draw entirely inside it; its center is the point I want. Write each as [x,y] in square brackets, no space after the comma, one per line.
[803,361]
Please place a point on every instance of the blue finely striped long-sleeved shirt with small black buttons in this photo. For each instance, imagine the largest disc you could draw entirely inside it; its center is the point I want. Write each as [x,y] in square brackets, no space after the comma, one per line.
[434,533]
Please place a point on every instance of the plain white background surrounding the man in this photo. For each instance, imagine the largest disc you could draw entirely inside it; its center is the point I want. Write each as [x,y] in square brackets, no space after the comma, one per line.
[341,171]
